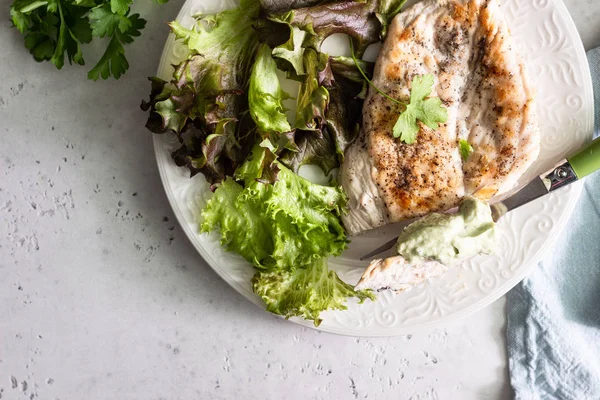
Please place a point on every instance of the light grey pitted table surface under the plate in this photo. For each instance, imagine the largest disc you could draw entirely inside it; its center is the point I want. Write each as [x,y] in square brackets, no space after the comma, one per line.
[102,296]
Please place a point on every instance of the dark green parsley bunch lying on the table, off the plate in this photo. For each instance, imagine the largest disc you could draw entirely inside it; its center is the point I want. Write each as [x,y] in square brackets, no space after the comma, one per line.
[55,28]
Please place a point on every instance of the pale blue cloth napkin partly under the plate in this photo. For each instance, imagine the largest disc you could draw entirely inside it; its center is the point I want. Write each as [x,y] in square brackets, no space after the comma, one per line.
[553,332]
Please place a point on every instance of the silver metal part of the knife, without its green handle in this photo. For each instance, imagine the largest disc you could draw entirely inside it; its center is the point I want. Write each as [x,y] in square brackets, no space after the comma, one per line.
[553,179]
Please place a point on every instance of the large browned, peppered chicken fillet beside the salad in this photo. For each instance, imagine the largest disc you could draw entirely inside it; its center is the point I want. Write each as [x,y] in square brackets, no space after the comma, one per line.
[480,79]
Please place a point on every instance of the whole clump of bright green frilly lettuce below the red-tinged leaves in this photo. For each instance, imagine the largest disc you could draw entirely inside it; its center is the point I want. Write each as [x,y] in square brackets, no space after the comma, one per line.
[287,230]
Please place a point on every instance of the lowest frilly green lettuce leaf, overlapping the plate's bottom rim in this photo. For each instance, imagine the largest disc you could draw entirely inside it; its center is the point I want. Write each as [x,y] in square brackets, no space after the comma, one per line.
[305,292]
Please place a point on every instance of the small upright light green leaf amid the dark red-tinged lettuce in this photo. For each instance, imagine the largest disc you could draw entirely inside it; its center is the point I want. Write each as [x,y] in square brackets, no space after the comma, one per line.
[265,95]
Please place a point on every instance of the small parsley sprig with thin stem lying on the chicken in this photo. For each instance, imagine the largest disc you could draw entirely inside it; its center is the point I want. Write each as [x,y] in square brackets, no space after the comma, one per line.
[421,107]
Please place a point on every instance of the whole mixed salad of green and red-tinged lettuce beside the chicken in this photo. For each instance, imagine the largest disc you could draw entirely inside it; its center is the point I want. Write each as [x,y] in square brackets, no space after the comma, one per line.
[225,104]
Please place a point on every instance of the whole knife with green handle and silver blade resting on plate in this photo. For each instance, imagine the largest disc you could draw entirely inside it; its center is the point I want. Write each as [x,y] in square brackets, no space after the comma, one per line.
[582,163]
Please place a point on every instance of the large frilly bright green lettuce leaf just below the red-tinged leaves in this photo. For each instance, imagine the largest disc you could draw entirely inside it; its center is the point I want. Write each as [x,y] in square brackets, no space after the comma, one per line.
[301,218]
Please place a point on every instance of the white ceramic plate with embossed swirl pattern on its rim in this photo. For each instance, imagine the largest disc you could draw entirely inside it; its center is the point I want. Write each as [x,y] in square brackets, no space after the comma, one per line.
[549,41]
